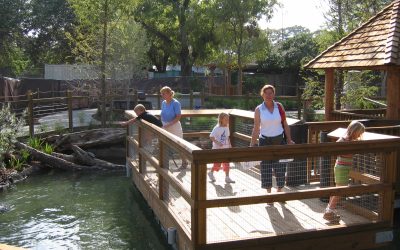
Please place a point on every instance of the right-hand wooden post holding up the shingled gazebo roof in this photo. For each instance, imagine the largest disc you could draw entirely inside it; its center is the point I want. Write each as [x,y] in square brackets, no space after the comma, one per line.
[392,94]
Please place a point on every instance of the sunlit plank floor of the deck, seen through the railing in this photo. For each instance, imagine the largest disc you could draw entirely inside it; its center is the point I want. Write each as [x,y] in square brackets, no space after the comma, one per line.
[251,221]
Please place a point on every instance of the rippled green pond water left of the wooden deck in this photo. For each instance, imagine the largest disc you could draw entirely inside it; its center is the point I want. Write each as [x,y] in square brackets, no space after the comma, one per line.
[58,210]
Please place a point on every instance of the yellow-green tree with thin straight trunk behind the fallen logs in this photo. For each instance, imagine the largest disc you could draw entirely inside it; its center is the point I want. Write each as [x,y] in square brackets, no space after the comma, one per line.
[98,23]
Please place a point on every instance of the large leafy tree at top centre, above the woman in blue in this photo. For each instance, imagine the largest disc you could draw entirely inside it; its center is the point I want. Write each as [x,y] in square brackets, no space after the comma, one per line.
[180,31]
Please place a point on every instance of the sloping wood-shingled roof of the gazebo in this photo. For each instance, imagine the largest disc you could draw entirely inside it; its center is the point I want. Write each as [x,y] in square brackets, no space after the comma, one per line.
[375,43]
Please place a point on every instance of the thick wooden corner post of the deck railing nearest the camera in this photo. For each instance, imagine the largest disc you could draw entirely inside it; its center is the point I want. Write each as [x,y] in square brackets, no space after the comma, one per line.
[199,215]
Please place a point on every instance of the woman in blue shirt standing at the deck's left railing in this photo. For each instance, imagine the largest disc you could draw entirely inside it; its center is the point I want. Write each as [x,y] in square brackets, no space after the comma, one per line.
[171,115]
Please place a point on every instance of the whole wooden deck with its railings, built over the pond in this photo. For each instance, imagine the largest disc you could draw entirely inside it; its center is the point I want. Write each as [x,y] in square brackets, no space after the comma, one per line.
[217,215]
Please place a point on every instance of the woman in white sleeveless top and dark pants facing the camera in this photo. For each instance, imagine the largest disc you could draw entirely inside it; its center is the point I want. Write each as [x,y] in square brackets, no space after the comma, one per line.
[271,128]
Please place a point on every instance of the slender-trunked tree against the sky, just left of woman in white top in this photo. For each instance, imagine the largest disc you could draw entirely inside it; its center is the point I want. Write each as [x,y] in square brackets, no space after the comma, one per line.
[239,21]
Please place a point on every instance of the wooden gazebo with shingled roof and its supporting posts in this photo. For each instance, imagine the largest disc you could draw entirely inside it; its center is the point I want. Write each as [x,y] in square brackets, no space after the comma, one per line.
[373,46]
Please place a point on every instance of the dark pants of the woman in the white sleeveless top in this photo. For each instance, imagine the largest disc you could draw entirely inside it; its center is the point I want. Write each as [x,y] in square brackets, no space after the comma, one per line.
[267,166]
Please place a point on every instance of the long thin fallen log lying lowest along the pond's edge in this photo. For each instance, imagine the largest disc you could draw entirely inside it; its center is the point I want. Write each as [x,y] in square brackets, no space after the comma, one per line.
[55,161]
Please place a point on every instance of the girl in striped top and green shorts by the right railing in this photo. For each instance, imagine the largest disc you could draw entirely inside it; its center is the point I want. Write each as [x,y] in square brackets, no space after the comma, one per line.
[343,164]
